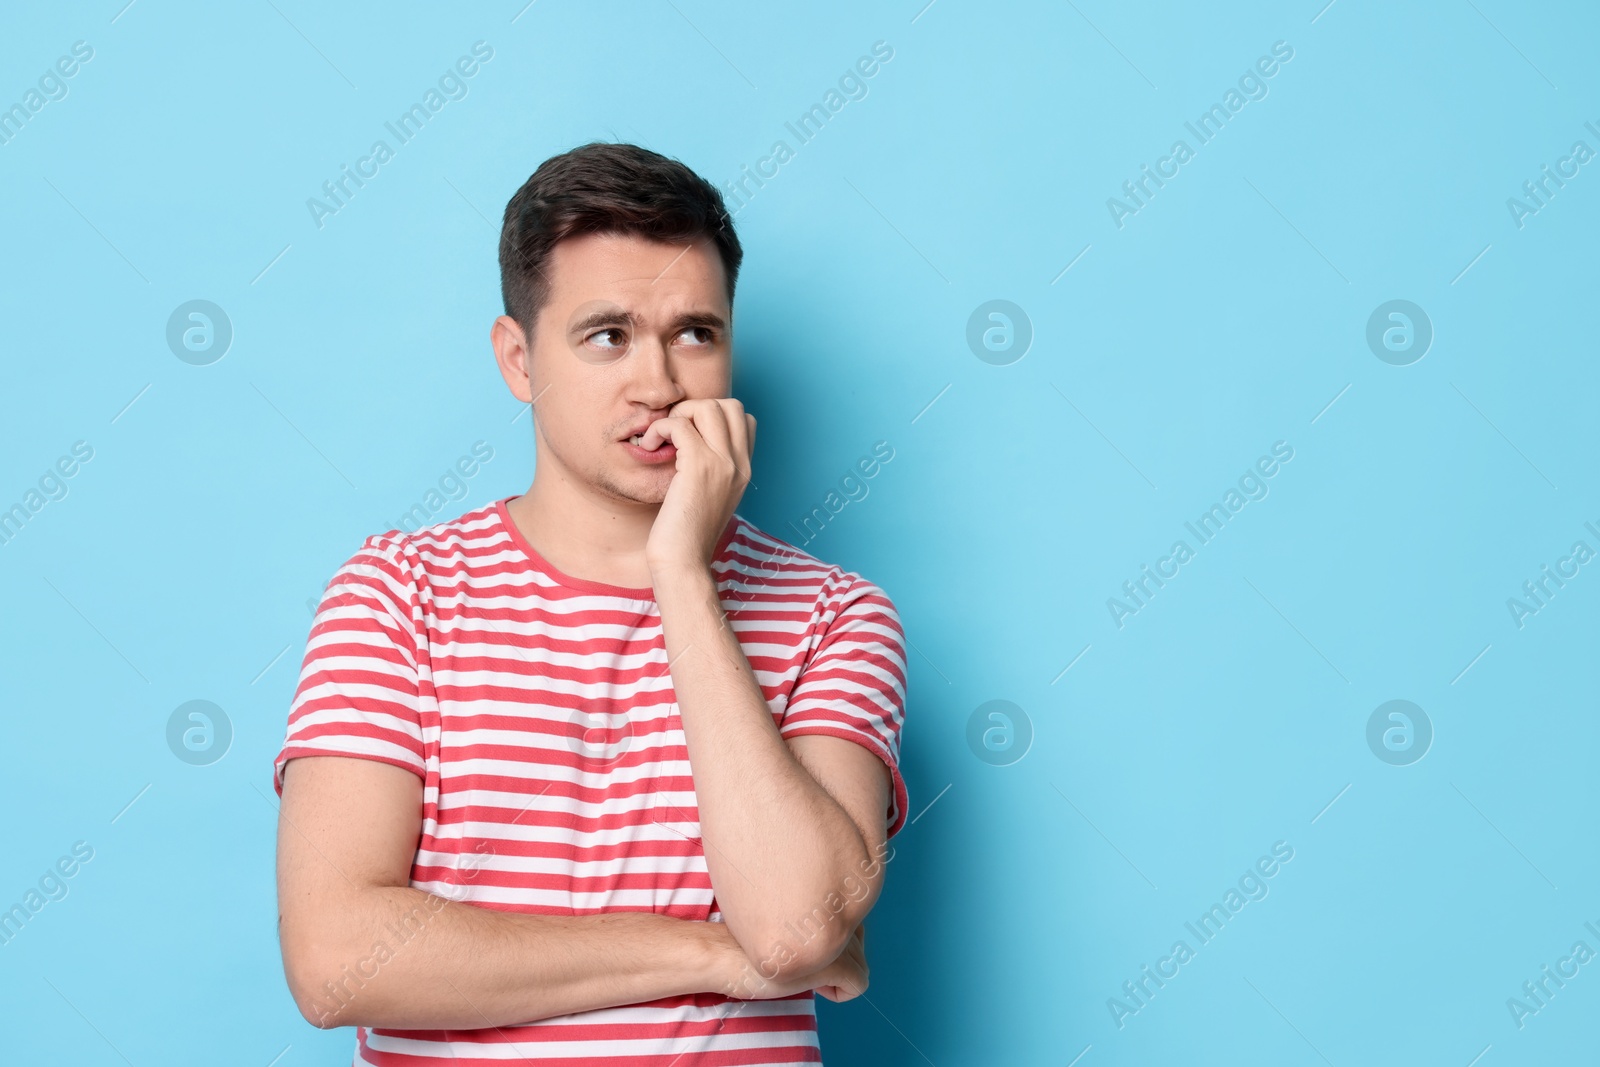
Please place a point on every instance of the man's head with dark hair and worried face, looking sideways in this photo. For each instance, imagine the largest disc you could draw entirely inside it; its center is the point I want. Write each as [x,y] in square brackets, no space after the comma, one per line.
[618,270]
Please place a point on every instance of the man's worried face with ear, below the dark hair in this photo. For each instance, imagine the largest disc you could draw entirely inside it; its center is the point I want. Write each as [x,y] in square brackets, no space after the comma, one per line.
[633,327]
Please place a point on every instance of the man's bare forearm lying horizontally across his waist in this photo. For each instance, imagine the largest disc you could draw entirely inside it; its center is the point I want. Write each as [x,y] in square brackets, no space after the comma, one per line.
[399,957]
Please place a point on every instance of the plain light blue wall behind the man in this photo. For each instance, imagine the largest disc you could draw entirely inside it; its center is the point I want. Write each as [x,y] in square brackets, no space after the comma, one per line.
[1223,318]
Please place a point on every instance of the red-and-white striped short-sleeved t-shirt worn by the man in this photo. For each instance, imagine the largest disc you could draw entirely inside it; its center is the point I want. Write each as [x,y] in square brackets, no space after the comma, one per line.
[540,714]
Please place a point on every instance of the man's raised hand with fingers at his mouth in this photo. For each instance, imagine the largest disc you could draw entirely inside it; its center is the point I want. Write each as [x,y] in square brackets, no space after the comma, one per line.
[714,441]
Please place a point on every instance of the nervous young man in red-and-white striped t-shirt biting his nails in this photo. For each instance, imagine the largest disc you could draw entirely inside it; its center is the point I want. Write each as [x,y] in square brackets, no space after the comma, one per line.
[601,773]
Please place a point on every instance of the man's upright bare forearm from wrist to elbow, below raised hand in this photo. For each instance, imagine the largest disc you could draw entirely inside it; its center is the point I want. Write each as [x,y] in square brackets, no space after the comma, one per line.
[777,844]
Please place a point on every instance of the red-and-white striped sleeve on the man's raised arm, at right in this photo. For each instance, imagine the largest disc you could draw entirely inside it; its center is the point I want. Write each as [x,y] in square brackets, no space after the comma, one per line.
[854,687]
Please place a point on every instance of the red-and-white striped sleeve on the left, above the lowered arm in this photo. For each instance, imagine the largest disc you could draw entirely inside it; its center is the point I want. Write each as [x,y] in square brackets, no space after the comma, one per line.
[359,685]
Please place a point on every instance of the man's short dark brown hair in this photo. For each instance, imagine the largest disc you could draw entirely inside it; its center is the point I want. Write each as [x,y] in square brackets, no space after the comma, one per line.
[606,190]
